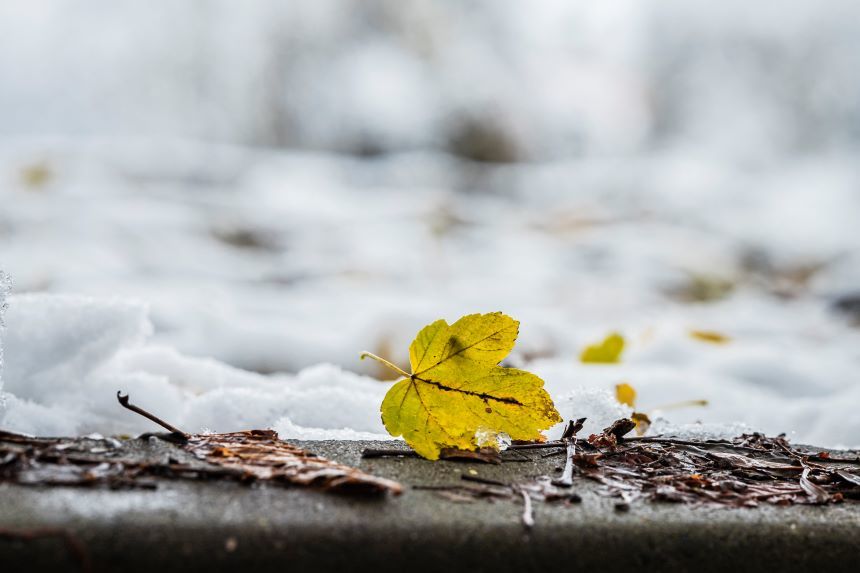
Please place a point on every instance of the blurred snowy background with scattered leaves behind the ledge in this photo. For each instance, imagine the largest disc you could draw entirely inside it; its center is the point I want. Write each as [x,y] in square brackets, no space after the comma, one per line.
[288,183]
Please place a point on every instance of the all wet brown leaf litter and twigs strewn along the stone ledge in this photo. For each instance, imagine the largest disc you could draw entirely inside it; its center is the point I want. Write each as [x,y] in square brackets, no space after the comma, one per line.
[745,472]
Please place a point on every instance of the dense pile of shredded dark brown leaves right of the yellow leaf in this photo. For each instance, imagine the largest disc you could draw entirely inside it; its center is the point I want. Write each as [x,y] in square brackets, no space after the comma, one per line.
[743,472]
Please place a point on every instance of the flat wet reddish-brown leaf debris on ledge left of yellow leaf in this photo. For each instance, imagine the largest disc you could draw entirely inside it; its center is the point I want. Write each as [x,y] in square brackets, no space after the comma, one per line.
[240,456]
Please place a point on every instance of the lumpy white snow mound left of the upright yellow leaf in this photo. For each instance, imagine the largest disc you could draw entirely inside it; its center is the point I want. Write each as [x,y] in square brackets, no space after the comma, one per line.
[70,355]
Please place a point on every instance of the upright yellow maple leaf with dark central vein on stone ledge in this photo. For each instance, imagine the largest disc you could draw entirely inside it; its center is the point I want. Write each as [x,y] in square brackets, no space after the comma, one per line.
[457,389]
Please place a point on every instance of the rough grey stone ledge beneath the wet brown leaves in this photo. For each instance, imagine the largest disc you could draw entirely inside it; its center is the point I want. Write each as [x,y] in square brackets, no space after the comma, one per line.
[217,526]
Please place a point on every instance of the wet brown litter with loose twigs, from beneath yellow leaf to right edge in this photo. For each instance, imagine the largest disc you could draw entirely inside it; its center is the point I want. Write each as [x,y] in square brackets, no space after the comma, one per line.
[745,472]
